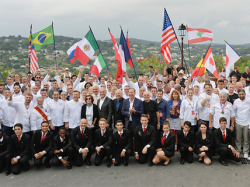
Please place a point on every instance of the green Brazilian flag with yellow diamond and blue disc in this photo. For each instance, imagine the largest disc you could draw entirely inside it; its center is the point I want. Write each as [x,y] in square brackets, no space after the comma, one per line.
[44,37]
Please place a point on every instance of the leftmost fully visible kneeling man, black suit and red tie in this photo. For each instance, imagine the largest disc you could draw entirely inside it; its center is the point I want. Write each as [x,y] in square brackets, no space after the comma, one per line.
[20,145]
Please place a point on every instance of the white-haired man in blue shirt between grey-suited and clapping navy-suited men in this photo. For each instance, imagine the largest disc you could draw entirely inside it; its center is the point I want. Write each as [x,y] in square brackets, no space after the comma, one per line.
[117,107]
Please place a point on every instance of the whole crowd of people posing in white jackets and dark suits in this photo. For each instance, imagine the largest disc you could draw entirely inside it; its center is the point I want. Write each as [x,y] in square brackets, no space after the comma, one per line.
[66,119]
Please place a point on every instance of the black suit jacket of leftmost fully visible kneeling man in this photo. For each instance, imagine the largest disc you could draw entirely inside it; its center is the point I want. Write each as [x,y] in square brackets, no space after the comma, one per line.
[20,148]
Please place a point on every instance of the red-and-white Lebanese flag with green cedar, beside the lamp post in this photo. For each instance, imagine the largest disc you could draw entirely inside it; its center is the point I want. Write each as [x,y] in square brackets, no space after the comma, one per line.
[198,35]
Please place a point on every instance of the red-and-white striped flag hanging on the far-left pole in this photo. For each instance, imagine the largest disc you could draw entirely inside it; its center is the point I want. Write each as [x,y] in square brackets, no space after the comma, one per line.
[32,54]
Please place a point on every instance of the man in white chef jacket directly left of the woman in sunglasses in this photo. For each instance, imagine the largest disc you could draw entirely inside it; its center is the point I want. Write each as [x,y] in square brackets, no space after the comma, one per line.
[72,112]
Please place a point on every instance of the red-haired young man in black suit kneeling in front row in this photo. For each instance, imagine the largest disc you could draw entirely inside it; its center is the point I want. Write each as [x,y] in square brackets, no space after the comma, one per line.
[103,143]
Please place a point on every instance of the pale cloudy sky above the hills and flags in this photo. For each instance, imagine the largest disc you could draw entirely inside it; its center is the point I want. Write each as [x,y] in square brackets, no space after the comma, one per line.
[228,19]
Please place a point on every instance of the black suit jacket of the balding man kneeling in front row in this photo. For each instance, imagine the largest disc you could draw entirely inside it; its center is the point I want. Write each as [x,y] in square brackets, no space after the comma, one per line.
[79,141]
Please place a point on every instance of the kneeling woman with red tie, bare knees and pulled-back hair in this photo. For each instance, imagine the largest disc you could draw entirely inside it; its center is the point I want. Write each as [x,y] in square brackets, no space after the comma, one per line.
[167,148]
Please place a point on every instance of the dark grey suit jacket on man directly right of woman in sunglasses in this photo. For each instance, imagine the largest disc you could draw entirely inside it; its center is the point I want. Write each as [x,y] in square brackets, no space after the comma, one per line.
[106,110]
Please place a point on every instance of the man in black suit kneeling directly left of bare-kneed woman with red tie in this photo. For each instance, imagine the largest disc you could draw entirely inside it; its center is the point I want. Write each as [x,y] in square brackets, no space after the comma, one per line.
[145,141]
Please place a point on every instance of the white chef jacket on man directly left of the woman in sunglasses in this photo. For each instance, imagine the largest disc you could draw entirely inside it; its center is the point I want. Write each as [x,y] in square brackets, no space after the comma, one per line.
[72,113]
